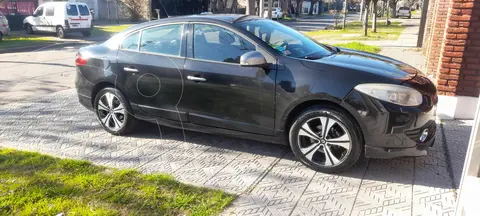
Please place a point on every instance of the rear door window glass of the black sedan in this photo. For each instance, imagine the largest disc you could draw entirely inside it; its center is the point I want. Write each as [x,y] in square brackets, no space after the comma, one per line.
[162,40]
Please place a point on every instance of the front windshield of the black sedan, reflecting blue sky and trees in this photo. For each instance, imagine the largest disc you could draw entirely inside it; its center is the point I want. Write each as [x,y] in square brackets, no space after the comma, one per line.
[285,40]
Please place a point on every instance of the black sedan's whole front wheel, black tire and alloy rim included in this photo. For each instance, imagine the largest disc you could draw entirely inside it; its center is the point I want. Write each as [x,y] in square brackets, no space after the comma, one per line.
[338,151]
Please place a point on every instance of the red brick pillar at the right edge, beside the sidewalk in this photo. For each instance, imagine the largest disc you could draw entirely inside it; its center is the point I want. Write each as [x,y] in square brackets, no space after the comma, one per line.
[458,67]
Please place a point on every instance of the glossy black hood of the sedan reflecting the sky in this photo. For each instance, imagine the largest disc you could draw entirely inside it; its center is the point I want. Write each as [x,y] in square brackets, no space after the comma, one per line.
[370,63]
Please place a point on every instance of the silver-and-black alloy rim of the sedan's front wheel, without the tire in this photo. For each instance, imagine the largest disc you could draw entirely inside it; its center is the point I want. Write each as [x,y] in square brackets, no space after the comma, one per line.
[324,141]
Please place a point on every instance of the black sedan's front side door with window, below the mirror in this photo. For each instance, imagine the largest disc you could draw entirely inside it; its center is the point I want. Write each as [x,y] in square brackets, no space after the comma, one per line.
[218,91]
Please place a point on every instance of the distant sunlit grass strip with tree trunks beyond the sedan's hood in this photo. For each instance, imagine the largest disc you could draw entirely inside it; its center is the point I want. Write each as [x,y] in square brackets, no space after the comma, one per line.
[353,31]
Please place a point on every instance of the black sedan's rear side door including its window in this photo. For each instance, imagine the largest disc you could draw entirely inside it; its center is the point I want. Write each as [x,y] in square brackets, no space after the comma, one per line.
[152,62]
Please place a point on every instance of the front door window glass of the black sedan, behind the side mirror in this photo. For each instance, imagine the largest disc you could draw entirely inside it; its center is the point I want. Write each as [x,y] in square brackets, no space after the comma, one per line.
[214,43]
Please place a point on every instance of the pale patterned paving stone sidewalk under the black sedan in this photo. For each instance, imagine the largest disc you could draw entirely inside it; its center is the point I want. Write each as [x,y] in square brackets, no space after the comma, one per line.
[267,178]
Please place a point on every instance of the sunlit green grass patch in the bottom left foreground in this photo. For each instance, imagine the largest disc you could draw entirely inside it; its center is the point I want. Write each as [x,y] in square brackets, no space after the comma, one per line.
[35,184]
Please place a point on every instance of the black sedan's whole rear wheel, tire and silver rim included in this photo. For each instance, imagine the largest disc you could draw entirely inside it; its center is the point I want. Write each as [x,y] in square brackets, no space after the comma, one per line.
[108,106]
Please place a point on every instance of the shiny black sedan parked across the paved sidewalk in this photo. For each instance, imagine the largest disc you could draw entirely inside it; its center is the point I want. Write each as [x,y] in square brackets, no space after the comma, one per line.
[254,78]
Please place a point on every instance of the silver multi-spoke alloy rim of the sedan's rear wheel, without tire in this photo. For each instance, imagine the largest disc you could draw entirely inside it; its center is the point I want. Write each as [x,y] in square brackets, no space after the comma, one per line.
[111,111]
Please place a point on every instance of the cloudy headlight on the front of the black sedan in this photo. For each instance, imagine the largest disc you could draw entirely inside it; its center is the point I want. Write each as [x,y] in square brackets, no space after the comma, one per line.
[396,94]
